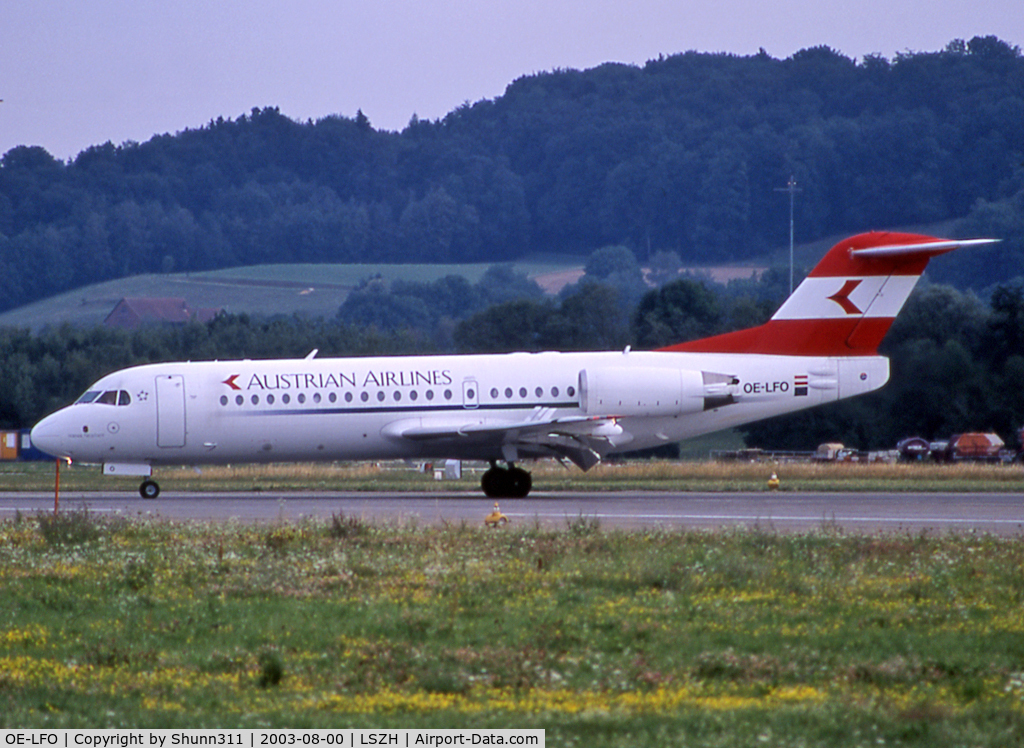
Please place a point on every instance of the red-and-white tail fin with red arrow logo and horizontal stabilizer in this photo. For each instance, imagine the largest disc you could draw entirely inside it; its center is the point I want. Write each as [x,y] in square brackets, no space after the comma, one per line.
[847,304]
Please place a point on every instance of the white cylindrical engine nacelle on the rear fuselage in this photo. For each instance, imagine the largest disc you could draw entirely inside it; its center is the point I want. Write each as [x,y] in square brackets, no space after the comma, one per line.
[641,392]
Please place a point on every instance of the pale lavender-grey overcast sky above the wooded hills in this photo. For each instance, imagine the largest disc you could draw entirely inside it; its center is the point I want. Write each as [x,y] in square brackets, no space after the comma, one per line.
[77,73]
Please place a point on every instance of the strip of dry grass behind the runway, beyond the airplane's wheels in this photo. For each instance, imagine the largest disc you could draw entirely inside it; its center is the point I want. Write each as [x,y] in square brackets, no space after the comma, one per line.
[654,476]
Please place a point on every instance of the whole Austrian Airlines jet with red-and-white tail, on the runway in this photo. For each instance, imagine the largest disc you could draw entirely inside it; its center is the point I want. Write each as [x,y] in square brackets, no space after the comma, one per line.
[821,347]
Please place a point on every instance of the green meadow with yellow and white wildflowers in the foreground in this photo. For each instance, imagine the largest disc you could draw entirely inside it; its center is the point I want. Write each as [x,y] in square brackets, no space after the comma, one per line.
[602,638]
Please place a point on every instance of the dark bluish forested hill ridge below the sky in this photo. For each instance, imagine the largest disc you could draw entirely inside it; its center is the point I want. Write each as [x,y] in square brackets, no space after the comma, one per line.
[685,154]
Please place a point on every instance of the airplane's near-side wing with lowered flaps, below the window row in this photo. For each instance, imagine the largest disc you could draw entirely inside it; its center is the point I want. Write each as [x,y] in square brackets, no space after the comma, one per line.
[582,440]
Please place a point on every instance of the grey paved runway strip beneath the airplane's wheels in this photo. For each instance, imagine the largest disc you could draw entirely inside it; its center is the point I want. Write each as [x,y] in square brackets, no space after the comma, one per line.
[785,513]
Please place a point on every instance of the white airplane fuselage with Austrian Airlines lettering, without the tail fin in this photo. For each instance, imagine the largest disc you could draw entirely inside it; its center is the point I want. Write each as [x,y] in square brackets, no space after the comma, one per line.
[436,407]
